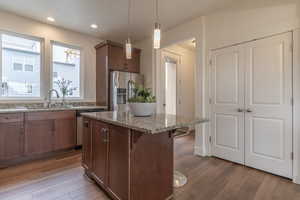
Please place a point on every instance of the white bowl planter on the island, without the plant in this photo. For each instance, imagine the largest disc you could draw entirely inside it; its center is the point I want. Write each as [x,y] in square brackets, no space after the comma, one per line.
[142,109]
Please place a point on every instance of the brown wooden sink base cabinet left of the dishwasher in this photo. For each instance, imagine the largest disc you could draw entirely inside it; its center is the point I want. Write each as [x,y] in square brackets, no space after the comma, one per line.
[49,131]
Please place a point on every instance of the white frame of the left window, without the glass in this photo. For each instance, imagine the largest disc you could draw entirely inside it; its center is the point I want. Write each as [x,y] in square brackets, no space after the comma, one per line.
[42,66]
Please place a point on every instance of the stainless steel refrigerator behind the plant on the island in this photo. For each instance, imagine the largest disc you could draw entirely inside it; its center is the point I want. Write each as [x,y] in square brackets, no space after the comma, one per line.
[122,88]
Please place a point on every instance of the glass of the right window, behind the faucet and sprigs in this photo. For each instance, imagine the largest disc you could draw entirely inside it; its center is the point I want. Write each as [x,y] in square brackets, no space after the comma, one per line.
[66,66]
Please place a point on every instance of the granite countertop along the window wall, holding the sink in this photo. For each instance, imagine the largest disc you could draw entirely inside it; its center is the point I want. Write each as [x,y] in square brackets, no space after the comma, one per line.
[43,109]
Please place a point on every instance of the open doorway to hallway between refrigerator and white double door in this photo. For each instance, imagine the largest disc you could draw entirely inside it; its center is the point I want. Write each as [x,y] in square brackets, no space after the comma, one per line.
[175,79]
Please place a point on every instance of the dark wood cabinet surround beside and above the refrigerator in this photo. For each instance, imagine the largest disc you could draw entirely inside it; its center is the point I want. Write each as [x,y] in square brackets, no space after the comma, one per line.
[110,56]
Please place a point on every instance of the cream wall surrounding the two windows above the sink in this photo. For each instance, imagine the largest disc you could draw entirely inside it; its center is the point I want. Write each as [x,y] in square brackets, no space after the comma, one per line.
[17,24]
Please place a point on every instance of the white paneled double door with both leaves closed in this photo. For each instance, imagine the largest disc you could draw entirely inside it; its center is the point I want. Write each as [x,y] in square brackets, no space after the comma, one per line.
[251,93]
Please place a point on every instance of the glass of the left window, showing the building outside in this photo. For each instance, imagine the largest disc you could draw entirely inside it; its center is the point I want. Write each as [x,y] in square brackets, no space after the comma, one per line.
[21,63]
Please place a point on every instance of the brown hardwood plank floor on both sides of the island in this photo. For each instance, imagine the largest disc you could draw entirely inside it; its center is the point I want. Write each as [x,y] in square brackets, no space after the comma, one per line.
[208,179]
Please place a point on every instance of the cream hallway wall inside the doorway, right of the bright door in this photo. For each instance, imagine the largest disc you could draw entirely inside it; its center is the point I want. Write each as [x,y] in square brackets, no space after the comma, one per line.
[186,80]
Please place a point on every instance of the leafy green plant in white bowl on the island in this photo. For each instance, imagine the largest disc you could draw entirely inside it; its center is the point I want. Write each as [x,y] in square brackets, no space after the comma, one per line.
[143,103]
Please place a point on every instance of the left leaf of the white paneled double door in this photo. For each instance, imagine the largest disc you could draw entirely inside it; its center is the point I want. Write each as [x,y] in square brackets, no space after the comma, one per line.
[227,103]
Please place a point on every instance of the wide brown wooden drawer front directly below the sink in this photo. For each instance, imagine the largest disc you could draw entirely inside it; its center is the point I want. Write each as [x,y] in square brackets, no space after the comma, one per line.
[50,115]
